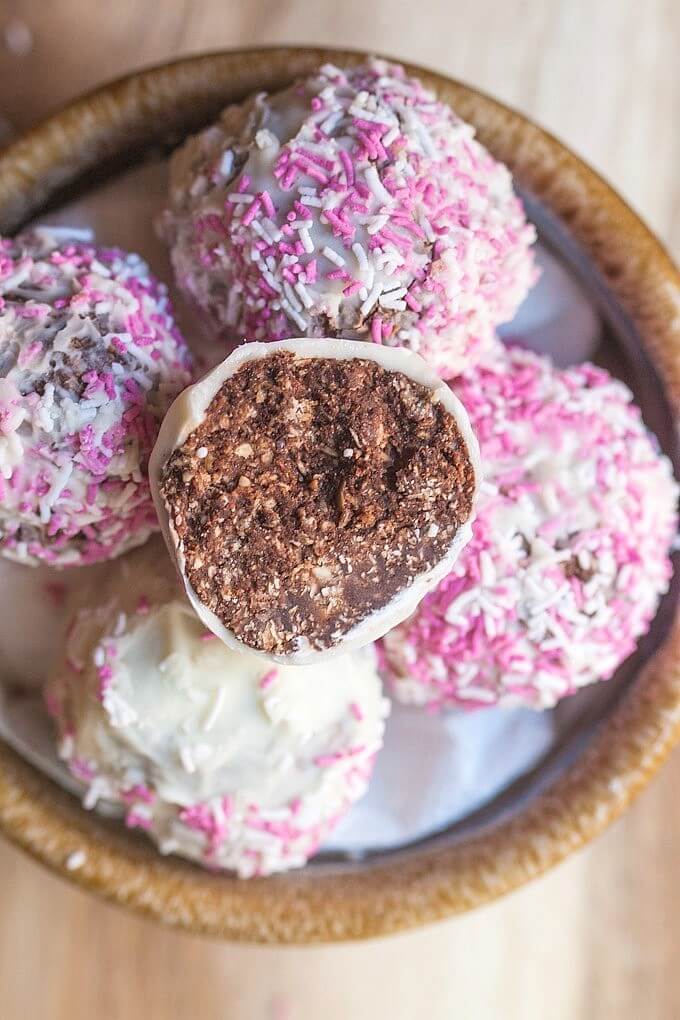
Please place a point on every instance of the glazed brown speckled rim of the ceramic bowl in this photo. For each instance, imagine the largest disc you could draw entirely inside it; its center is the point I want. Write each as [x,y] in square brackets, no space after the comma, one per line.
[151,108]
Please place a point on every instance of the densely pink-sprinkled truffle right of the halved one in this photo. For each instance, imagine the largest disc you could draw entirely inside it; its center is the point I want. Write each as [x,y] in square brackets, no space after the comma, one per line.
[570,553]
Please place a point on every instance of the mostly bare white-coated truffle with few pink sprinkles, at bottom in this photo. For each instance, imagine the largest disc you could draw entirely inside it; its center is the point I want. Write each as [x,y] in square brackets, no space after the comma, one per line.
[216,755]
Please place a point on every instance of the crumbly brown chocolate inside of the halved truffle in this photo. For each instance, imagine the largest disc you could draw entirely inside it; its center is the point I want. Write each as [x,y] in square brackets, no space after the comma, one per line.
[312,493]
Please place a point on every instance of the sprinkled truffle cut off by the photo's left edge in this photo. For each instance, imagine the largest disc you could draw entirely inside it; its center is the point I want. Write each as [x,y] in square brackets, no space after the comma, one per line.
[90,361]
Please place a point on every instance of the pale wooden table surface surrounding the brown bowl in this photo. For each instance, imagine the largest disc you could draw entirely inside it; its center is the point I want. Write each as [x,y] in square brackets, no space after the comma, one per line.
[599,938]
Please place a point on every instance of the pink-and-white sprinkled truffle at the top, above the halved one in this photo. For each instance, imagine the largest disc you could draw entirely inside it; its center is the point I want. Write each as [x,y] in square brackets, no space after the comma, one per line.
[353,205]
